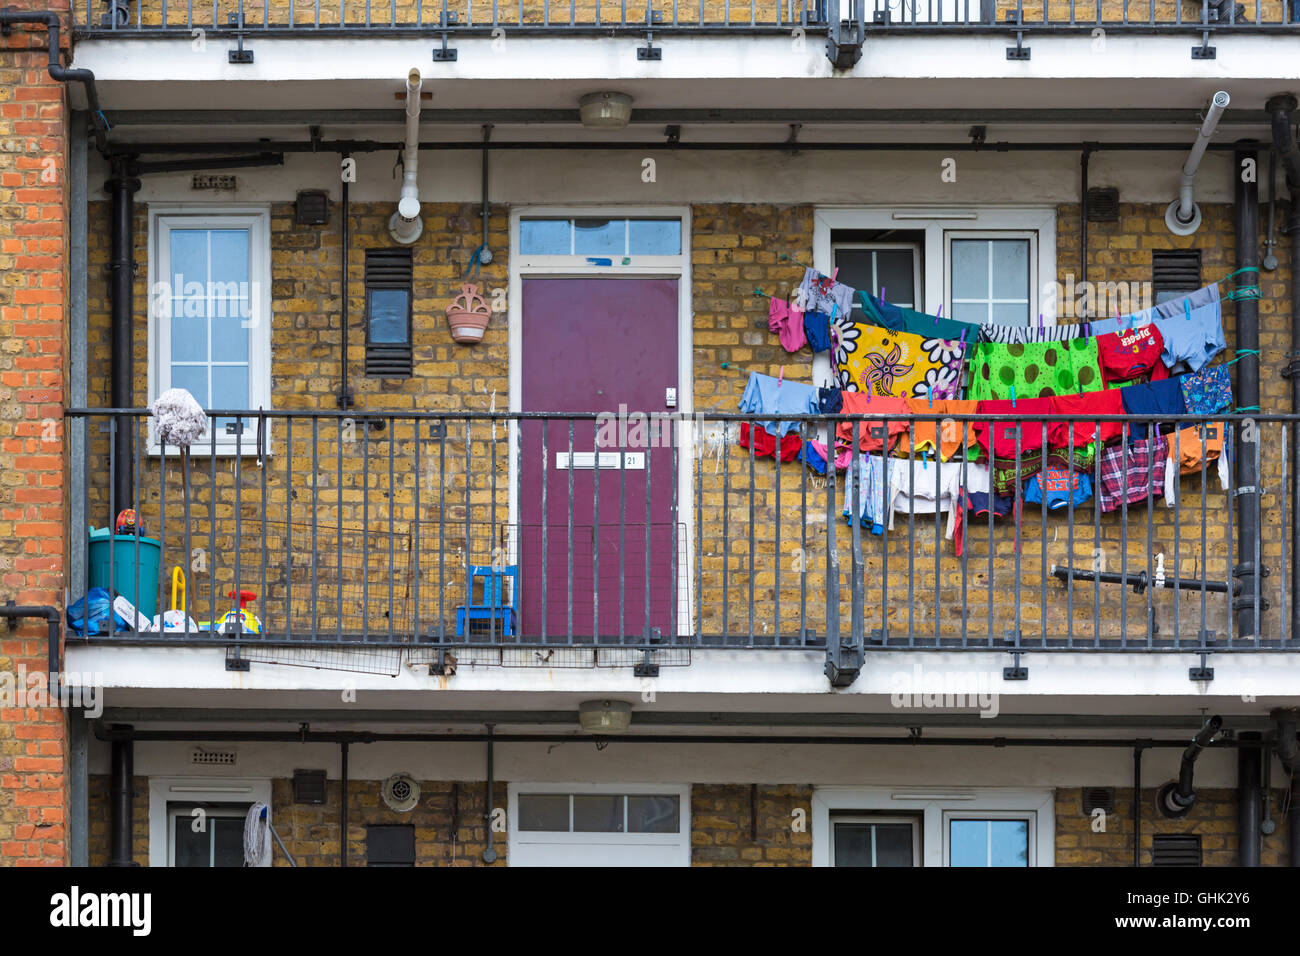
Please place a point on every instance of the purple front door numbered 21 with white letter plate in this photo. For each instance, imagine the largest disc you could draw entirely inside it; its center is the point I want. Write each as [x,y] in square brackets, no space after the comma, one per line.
[596,345]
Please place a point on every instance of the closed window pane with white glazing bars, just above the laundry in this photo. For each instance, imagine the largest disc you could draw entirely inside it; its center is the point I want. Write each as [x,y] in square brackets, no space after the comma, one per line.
[991,279]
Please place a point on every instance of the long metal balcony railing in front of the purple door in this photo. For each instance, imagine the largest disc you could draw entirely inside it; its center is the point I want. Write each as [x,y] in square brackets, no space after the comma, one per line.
[553,531]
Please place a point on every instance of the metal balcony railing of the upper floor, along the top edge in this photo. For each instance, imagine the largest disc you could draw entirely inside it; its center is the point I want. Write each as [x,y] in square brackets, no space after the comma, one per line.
[666,18]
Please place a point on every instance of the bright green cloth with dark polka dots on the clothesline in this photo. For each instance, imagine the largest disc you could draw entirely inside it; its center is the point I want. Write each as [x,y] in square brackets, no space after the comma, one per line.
[1034,370]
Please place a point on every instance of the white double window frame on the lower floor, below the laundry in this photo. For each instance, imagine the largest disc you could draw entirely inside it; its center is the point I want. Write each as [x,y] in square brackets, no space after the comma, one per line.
[937,806]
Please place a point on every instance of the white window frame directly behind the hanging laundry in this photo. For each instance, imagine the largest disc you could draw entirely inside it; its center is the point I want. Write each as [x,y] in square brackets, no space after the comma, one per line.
[935,222]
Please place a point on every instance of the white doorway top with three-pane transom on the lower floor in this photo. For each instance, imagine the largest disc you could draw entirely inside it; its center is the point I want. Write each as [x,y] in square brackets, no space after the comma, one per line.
[600,825]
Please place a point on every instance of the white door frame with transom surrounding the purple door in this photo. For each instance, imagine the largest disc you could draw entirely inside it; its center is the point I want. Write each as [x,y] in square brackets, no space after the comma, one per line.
[642,267]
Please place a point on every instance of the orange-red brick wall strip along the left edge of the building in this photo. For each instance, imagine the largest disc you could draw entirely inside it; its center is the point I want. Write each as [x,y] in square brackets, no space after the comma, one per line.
[33,296]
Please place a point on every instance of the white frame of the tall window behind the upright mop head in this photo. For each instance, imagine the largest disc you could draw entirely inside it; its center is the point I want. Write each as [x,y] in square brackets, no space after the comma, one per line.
[257,219]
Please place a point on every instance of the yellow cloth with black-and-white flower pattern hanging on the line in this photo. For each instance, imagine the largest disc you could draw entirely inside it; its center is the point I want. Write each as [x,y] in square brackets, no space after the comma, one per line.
[899,364]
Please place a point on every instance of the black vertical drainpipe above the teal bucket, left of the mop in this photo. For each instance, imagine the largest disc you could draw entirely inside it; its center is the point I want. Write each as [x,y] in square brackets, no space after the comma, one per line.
[123,188]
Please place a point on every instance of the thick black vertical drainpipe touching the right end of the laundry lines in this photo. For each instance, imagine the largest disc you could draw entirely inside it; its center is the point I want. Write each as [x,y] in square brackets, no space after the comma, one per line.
[1247,396]
